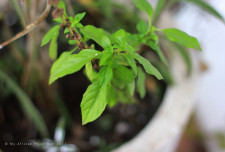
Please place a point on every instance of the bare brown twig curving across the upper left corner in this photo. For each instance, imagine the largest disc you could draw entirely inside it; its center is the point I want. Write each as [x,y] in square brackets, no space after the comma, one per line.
[31,26]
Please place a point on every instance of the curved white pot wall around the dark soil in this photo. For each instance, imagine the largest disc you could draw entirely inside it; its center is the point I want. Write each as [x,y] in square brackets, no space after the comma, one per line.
[162,133]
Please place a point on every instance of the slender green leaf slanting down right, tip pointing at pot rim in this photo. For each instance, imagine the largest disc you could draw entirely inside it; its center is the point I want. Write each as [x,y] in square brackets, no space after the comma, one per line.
[149,68]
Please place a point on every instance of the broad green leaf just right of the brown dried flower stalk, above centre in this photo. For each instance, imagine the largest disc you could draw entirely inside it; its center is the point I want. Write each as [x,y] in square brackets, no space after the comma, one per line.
[98,35]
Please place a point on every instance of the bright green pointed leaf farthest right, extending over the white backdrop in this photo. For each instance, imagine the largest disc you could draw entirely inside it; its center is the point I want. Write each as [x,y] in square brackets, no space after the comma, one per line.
[181,37]
